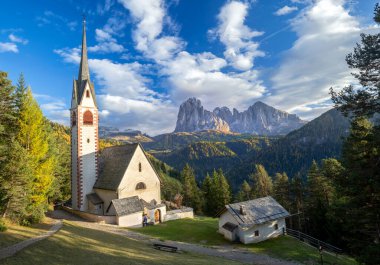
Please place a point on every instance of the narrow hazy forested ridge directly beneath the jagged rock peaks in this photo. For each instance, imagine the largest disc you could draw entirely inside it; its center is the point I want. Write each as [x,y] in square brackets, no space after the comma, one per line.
[171,141]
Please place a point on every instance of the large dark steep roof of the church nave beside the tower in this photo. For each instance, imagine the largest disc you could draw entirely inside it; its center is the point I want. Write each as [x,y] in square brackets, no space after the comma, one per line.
[113,162]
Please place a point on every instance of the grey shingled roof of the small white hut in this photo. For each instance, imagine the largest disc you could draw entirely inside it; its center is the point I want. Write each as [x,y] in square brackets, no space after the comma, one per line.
[257,211]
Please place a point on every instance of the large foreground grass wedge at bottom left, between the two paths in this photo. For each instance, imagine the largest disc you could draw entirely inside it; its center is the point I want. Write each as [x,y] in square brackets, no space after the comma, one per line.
[77,245]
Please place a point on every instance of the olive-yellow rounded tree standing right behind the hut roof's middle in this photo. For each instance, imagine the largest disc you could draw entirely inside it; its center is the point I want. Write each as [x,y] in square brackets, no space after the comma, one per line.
[262,182]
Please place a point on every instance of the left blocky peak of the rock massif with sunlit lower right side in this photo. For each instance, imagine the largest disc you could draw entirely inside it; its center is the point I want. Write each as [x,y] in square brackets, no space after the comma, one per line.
[192,117]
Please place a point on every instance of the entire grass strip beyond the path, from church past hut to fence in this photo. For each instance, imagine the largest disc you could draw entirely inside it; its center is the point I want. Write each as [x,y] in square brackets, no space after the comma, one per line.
[203,231]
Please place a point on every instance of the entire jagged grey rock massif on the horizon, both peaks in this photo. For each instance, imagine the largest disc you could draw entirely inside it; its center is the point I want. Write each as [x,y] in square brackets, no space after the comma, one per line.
[258,119]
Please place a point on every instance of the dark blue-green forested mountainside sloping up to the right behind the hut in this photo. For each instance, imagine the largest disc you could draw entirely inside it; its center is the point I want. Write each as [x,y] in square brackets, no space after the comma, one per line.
[321,138]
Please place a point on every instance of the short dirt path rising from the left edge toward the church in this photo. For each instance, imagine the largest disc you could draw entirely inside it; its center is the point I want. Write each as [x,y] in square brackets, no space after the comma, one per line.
[11,250]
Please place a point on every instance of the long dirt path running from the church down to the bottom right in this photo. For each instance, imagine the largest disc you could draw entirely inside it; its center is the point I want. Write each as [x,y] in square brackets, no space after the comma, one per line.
[219,251]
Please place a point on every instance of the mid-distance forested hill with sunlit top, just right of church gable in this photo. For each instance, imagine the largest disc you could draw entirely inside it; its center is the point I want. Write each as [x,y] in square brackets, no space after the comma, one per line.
[204,157]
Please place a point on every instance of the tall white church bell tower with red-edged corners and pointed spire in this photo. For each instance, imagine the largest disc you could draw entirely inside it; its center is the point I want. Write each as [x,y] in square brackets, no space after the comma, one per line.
[84,133]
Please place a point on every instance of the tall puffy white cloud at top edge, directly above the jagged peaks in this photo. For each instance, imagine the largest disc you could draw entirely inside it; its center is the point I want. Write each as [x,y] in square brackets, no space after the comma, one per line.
[236,36]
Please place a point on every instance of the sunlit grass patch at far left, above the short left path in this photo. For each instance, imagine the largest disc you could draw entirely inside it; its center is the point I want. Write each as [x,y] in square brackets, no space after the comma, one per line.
[16,233]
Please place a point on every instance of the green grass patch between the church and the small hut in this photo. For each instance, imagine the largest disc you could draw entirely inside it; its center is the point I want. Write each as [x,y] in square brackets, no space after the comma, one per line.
[200,230]
